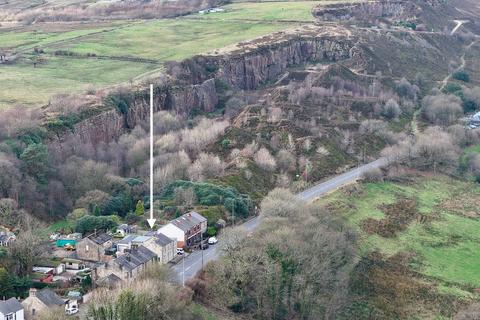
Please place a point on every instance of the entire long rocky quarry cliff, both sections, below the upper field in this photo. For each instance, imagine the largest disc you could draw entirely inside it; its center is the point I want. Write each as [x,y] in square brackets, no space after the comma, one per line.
[192,85]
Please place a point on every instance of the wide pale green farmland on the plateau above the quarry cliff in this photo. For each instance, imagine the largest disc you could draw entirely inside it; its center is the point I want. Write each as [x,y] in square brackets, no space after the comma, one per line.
[120,47]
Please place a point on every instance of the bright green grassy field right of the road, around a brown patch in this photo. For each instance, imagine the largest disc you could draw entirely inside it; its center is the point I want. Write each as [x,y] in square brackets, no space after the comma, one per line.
[444,236]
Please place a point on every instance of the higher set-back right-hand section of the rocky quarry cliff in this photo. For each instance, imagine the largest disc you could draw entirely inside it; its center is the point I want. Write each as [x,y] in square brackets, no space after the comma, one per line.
[257,63]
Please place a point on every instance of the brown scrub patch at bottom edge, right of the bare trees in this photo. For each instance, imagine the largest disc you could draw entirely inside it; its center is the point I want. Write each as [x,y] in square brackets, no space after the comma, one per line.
[386,288]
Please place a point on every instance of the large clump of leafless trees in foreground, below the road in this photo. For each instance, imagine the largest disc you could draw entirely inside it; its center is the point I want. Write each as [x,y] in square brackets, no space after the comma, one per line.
[274,273]
